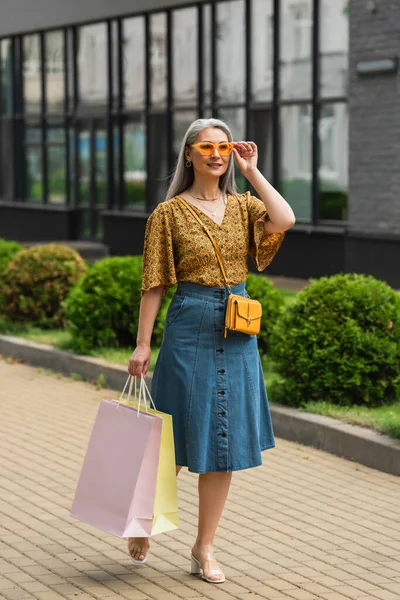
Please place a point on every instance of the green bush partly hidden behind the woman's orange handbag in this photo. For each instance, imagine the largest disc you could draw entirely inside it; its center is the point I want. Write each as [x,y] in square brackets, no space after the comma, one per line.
[272,301]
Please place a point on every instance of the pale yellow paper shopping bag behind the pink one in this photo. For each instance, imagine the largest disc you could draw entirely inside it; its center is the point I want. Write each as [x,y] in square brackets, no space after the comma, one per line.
[166,499]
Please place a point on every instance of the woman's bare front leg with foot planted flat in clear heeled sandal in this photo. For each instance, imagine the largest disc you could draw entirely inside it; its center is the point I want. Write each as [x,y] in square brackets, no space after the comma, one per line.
[213,492]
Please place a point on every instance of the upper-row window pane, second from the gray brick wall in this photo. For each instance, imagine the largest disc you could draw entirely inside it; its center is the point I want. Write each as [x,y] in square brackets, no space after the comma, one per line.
[295,49]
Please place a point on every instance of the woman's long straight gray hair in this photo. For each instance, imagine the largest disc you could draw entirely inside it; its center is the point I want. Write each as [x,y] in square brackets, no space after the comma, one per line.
[183,176]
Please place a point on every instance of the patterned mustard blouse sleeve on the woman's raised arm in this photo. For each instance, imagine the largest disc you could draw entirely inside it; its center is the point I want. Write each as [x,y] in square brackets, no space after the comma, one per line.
[263,246]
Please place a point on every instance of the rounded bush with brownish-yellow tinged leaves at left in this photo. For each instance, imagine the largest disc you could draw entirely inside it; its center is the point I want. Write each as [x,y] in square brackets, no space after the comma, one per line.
[36,283]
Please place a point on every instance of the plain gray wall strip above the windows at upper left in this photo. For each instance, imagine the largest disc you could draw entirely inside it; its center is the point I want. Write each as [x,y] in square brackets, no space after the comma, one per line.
[18,16]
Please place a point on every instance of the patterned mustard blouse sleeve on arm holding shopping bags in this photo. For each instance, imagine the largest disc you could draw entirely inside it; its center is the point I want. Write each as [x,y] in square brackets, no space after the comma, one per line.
[158,255]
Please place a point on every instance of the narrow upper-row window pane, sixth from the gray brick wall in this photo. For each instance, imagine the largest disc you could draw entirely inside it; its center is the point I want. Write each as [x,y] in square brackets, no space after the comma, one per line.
[158,59]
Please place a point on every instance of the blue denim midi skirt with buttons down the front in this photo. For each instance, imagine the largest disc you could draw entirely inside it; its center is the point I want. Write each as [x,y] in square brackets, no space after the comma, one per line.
[212,386]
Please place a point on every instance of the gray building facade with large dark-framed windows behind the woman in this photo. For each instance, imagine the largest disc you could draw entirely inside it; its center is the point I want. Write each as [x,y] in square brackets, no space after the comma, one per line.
[94,100]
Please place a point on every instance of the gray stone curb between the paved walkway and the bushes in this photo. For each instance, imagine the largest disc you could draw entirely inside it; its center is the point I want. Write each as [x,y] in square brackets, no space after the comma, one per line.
[360,444]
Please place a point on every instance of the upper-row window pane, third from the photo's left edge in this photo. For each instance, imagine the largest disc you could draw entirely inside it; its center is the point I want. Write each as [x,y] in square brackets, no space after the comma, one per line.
[55,84]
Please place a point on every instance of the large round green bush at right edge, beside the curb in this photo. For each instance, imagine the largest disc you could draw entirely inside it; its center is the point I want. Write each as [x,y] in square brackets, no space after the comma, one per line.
[339,341]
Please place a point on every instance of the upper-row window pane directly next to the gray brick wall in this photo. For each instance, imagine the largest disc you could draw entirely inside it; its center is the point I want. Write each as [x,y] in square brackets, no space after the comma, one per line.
[334,48]
